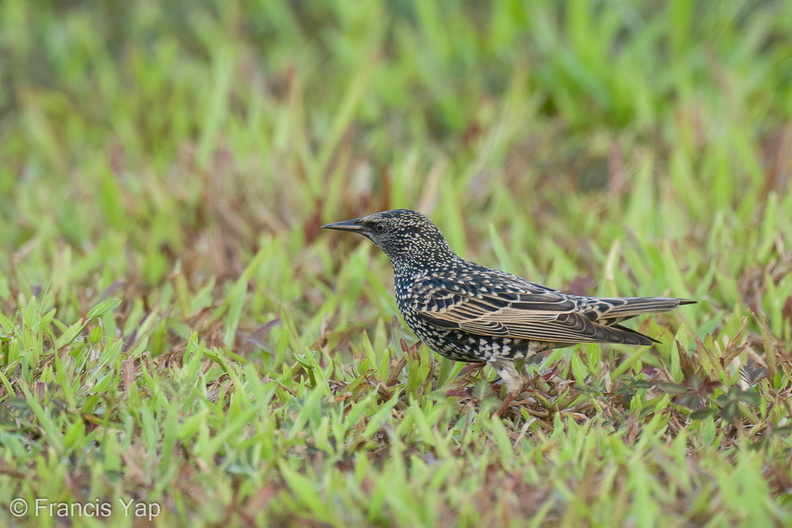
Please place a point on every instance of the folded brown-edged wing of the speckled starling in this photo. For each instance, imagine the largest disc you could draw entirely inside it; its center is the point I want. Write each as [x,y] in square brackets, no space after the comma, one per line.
[534,314]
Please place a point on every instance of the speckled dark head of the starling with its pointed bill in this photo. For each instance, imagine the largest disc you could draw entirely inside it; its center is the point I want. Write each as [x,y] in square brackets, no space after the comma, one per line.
[405,236]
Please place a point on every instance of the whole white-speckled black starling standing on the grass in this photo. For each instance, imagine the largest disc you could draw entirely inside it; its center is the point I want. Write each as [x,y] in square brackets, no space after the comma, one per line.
[467,312]
